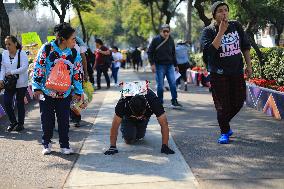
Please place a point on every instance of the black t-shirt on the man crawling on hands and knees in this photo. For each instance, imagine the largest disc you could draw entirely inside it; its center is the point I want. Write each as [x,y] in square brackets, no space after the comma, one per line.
[122,108]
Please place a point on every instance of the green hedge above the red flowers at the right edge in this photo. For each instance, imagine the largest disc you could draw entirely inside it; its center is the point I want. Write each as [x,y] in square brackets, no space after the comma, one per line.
[273,68]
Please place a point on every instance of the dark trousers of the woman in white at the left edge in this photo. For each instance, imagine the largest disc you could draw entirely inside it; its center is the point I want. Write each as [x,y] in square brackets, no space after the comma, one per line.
[8,103]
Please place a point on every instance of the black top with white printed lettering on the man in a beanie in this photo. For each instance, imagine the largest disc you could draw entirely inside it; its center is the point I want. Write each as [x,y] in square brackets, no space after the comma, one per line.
[227,59]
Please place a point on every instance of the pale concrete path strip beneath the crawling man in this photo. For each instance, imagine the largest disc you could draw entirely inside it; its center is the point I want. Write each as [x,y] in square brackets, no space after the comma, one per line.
[140,166]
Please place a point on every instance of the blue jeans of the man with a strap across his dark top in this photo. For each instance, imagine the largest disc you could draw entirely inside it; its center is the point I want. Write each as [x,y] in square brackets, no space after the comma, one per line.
[163,70]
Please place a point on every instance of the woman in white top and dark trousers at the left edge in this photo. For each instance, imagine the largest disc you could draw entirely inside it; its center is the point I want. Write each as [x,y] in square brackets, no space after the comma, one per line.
[9,67]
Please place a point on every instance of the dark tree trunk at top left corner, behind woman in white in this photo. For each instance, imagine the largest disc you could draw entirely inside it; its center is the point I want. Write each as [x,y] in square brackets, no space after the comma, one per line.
[4,24]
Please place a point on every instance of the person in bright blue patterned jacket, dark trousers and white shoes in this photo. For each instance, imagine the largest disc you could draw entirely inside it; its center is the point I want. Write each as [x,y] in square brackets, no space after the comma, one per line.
[52,101]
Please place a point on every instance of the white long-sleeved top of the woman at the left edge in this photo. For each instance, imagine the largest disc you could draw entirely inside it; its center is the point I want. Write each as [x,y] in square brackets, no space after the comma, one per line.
[7,66]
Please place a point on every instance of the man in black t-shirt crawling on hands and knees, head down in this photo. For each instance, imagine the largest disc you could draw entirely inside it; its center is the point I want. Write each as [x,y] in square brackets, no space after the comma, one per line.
[133,114]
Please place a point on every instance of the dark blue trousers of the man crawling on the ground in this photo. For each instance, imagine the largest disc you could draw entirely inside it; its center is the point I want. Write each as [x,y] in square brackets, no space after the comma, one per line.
[133,129]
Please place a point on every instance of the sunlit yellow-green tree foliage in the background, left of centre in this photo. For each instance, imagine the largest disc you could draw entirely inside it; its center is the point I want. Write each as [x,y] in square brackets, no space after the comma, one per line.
[118,22]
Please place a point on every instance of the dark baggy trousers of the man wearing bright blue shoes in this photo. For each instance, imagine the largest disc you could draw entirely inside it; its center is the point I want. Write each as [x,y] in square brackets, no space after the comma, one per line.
[229,94]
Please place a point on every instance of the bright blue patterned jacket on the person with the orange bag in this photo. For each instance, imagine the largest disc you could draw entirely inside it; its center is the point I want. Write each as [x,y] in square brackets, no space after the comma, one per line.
[44,65]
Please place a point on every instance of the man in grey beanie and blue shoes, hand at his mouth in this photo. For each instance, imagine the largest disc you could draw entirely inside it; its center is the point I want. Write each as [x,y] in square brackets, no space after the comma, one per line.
[224,43]
